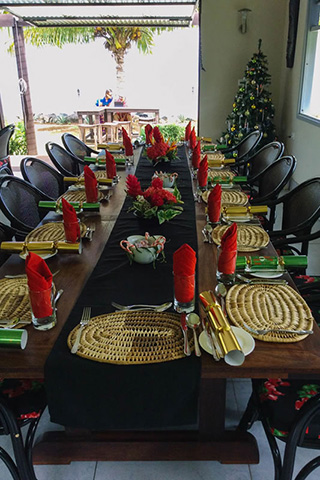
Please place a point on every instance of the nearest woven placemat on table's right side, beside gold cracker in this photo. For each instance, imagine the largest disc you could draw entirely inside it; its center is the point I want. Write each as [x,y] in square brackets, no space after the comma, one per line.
[269,306]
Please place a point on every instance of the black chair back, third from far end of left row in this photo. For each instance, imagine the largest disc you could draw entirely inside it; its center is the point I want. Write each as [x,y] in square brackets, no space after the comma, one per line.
[42,176]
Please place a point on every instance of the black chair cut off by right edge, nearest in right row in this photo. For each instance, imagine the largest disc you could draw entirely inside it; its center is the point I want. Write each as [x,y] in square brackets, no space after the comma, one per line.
[300,212]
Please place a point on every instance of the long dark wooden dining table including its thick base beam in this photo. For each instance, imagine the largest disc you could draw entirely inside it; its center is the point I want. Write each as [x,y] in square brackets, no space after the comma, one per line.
[209,440]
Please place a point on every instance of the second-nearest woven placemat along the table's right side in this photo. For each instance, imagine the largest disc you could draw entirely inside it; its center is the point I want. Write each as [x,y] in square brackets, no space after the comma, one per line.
[249,237]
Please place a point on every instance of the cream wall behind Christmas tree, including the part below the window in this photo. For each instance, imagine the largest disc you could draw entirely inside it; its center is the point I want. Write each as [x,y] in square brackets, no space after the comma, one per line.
[225,55]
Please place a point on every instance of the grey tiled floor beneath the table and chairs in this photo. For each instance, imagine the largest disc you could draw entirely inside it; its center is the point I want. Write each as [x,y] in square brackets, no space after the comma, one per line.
[237,394]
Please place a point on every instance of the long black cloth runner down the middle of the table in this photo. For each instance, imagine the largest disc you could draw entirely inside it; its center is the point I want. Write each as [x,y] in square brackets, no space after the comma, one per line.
[99,396]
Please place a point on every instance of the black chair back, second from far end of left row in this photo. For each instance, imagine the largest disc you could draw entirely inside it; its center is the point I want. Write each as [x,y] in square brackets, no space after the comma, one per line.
[65,162]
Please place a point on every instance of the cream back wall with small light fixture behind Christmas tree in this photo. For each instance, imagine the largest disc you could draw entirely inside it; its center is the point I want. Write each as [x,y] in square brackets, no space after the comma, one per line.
[226,52]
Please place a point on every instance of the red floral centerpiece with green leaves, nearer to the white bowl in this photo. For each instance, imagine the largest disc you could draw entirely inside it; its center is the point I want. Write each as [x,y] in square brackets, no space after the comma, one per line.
[155,201]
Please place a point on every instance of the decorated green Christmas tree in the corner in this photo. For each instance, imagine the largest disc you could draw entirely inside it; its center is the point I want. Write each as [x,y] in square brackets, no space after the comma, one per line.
[252,107]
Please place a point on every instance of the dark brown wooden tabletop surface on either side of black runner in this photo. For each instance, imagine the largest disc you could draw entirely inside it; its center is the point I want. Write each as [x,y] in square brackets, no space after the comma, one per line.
[268,359]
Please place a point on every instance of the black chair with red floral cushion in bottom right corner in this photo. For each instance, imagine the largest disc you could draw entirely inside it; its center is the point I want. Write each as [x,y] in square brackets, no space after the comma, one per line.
[289,411]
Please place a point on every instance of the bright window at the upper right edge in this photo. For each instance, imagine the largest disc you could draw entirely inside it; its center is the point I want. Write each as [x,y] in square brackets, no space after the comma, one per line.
[310,92]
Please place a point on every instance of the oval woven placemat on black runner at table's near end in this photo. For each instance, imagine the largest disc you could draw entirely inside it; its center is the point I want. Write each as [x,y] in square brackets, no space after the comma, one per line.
[131,337]
